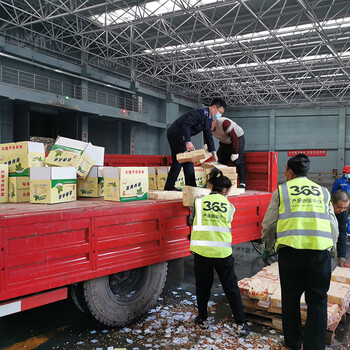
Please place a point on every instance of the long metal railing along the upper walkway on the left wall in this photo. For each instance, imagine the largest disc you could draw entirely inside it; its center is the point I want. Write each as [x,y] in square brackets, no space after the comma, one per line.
[66,90]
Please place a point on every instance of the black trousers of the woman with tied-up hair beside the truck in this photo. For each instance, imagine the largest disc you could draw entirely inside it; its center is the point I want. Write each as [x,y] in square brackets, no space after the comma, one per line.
[204,274]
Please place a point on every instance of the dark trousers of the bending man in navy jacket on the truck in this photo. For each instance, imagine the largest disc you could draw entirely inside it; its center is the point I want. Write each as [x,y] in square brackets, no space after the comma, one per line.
[178,145]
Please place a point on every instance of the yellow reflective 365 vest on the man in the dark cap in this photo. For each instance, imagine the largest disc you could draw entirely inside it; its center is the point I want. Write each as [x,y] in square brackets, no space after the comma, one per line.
[303,221]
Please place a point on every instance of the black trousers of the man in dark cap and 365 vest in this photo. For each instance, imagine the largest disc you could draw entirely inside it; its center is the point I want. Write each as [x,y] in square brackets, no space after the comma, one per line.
[308,271]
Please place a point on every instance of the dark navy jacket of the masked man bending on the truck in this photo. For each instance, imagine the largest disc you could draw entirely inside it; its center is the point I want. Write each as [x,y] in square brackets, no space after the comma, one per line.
[192,123]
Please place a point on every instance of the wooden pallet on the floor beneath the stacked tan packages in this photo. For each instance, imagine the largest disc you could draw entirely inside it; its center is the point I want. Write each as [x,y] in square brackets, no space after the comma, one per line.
[274,320]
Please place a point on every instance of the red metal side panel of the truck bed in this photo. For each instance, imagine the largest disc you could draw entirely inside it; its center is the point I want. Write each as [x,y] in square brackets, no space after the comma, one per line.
[47,246]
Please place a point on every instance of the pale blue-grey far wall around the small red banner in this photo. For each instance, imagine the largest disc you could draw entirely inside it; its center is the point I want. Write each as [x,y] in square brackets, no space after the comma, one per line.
[298,129]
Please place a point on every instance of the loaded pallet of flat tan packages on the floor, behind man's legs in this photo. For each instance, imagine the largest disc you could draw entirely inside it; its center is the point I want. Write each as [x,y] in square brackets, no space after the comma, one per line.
[261,296]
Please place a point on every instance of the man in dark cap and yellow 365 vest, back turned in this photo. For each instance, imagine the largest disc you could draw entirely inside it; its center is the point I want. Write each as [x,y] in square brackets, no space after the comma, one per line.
[300,216]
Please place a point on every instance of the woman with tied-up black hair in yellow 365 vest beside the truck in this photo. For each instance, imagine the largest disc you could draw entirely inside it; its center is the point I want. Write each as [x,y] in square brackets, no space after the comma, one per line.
[211,244]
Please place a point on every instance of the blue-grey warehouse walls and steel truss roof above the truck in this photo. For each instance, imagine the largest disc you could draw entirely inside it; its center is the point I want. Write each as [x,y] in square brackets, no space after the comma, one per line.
[116,71]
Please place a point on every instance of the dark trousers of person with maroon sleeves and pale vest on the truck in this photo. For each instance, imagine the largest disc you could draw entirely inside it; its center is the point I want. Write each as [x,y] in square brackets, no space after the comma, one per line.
[224,155]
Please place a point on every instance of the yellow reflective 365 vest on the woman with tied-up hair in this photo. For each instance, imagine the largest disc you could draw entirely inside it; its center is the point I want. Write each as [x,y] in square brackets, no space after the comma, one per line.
[211,234]
